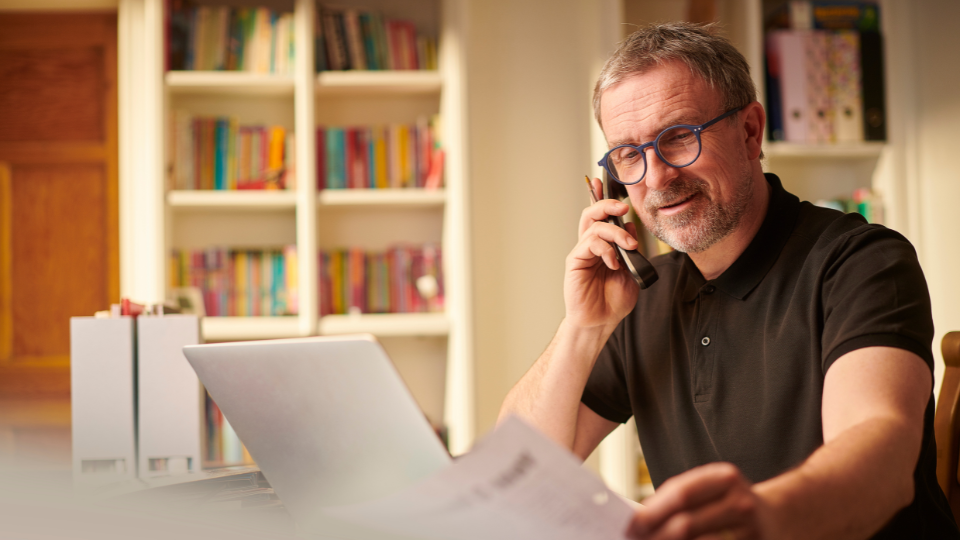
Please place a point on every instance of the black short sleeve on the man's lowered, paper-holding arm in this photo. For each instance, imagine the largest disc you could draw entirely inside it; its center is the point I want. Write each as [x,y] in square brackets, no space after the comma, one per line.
[874,294]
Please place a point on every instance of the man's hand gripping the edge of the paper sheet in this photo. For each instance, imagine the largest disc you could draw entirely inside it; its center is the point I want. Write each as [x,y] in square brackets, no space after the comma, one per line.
[711,502]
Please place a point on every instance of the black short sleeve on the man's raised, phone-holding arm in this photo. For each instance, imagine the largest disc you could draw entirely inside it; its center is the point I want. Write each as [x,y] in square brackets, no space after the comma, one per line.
[606,390]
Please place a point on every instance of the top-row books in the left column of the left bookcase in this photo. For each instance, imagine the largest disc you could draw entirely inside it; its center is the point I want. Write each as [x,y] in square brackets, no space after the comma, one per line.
[217,38]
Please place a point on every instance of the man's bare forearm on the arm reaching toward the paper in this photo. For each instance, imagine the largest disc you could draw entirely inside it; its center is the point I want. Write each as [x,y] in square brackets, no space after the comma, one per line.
[835,493]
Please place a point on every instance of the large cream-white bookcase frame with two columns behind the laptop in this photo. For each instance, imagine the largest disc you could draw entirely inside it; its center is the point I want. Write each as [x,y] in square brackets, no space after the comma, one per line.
[433,351]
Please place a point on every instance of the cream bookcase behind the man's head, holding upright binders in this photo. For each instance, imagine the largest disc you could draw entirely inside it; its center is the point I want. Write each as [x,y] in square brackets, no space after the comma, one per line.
[810,171]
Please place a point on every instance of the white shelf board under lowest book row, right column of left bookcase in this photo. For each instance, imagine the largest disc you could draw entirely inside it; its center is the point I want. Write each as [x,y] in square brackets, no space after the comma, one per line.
[387,324]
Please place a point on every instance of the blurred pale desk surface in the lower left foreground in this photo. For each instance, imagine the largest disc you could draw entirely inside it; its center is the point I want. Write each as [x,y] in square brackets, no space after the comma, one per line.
[227,505]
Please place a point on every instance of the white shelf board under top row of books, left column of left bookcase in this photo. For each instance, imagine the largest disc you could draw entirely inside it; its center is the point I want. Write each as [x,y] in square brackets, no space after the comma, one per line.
[229,82]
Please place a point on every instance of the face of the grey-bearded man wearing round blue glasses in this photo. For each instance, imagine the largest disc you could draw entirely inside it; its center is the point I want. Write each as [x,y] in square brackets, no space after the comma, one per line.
[694,207]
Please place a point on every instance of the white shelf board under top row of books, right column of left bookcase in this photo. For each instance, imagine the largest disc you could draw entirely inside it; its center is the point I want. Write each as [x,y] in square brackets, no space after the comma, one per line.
[345,83]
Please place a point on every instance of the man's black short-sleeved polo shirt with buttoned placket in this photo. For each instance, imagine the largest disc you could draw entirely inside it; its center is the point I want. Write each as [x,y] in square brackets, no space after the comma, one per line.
[732,369]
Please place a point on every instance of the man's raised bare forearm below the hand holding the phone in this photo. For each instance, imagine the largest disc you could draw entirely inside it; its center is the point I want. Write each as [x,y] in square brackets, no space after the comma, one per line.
[548,395]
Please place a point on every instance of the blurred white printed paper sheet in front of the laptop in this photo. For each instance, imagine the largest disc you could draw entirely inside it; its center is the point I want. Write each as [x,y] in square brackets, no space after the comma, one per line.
[515,483]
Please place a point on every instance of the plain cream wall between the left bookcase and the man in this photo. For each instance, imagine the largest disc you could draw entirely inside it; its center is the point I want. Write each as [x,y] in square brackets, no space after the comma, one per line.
[532,66]
